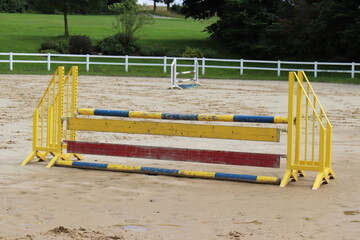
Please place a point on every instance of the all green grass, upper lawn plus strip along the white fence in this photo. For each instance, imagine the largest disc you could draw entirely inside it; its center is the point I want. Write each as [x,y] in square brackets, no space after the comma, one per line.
[25,32]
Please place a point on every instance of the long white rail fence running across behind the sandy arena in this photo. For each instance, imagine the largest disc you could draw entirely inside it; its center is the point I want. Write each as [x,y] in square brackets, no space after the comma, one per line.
[205,63]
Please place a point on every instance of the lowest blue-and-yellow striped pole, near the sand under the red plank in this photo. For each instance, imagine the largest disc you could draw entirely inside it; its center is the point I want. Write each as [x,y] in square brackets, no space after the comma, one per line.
[171,172]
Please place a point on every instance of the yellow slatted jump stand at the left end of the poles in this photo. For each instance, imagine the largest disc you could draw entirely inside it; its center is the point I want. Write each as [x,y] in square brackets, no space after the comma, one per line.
[58,102]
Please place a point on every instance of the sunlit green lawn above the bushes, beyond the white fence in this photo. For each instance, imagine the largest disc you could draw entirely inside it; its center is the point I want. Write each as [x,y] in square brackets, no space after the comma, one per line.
[25,32]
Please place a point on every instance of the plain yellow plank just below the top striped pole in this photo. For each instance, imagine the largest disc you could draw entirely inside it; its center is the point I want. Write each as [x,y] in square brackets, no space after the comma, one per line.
[175,129]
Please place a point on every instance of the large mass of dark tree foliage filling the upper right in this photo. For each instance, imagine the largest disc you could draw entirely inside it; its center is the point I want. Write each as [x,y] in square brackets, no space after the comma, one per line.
[301,29]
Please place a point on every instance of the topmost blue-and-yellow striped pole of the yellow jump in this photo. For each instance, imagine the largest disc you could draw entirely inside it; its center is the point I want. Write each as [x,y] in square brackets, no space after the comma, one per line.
[182,116]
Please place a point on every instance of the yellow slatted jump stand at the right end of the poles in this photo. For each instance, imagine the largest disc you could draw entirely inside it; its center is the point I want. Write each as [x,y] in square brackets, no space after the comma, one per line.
[309,142]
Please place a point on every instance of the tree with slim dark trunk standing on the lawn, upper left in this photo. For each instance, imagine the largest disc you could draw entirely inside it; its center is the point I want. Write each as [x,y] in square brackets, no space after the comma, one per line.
[67,7]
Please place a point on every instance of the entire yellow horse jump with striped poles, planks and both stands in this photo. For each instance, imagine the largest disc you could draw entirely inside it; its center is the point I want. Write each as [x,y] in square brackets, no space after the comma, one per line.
[58,106]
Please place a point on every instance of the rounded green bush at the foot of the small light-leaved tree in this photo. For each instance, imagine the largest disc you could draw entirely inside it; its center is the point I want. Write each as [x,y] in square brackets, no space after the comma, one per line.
[117,44]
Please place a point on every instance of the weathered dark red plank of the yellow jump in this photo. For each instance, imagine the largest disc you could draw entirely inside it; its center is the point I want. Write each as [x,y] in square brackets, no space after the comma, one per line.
[175,154]
